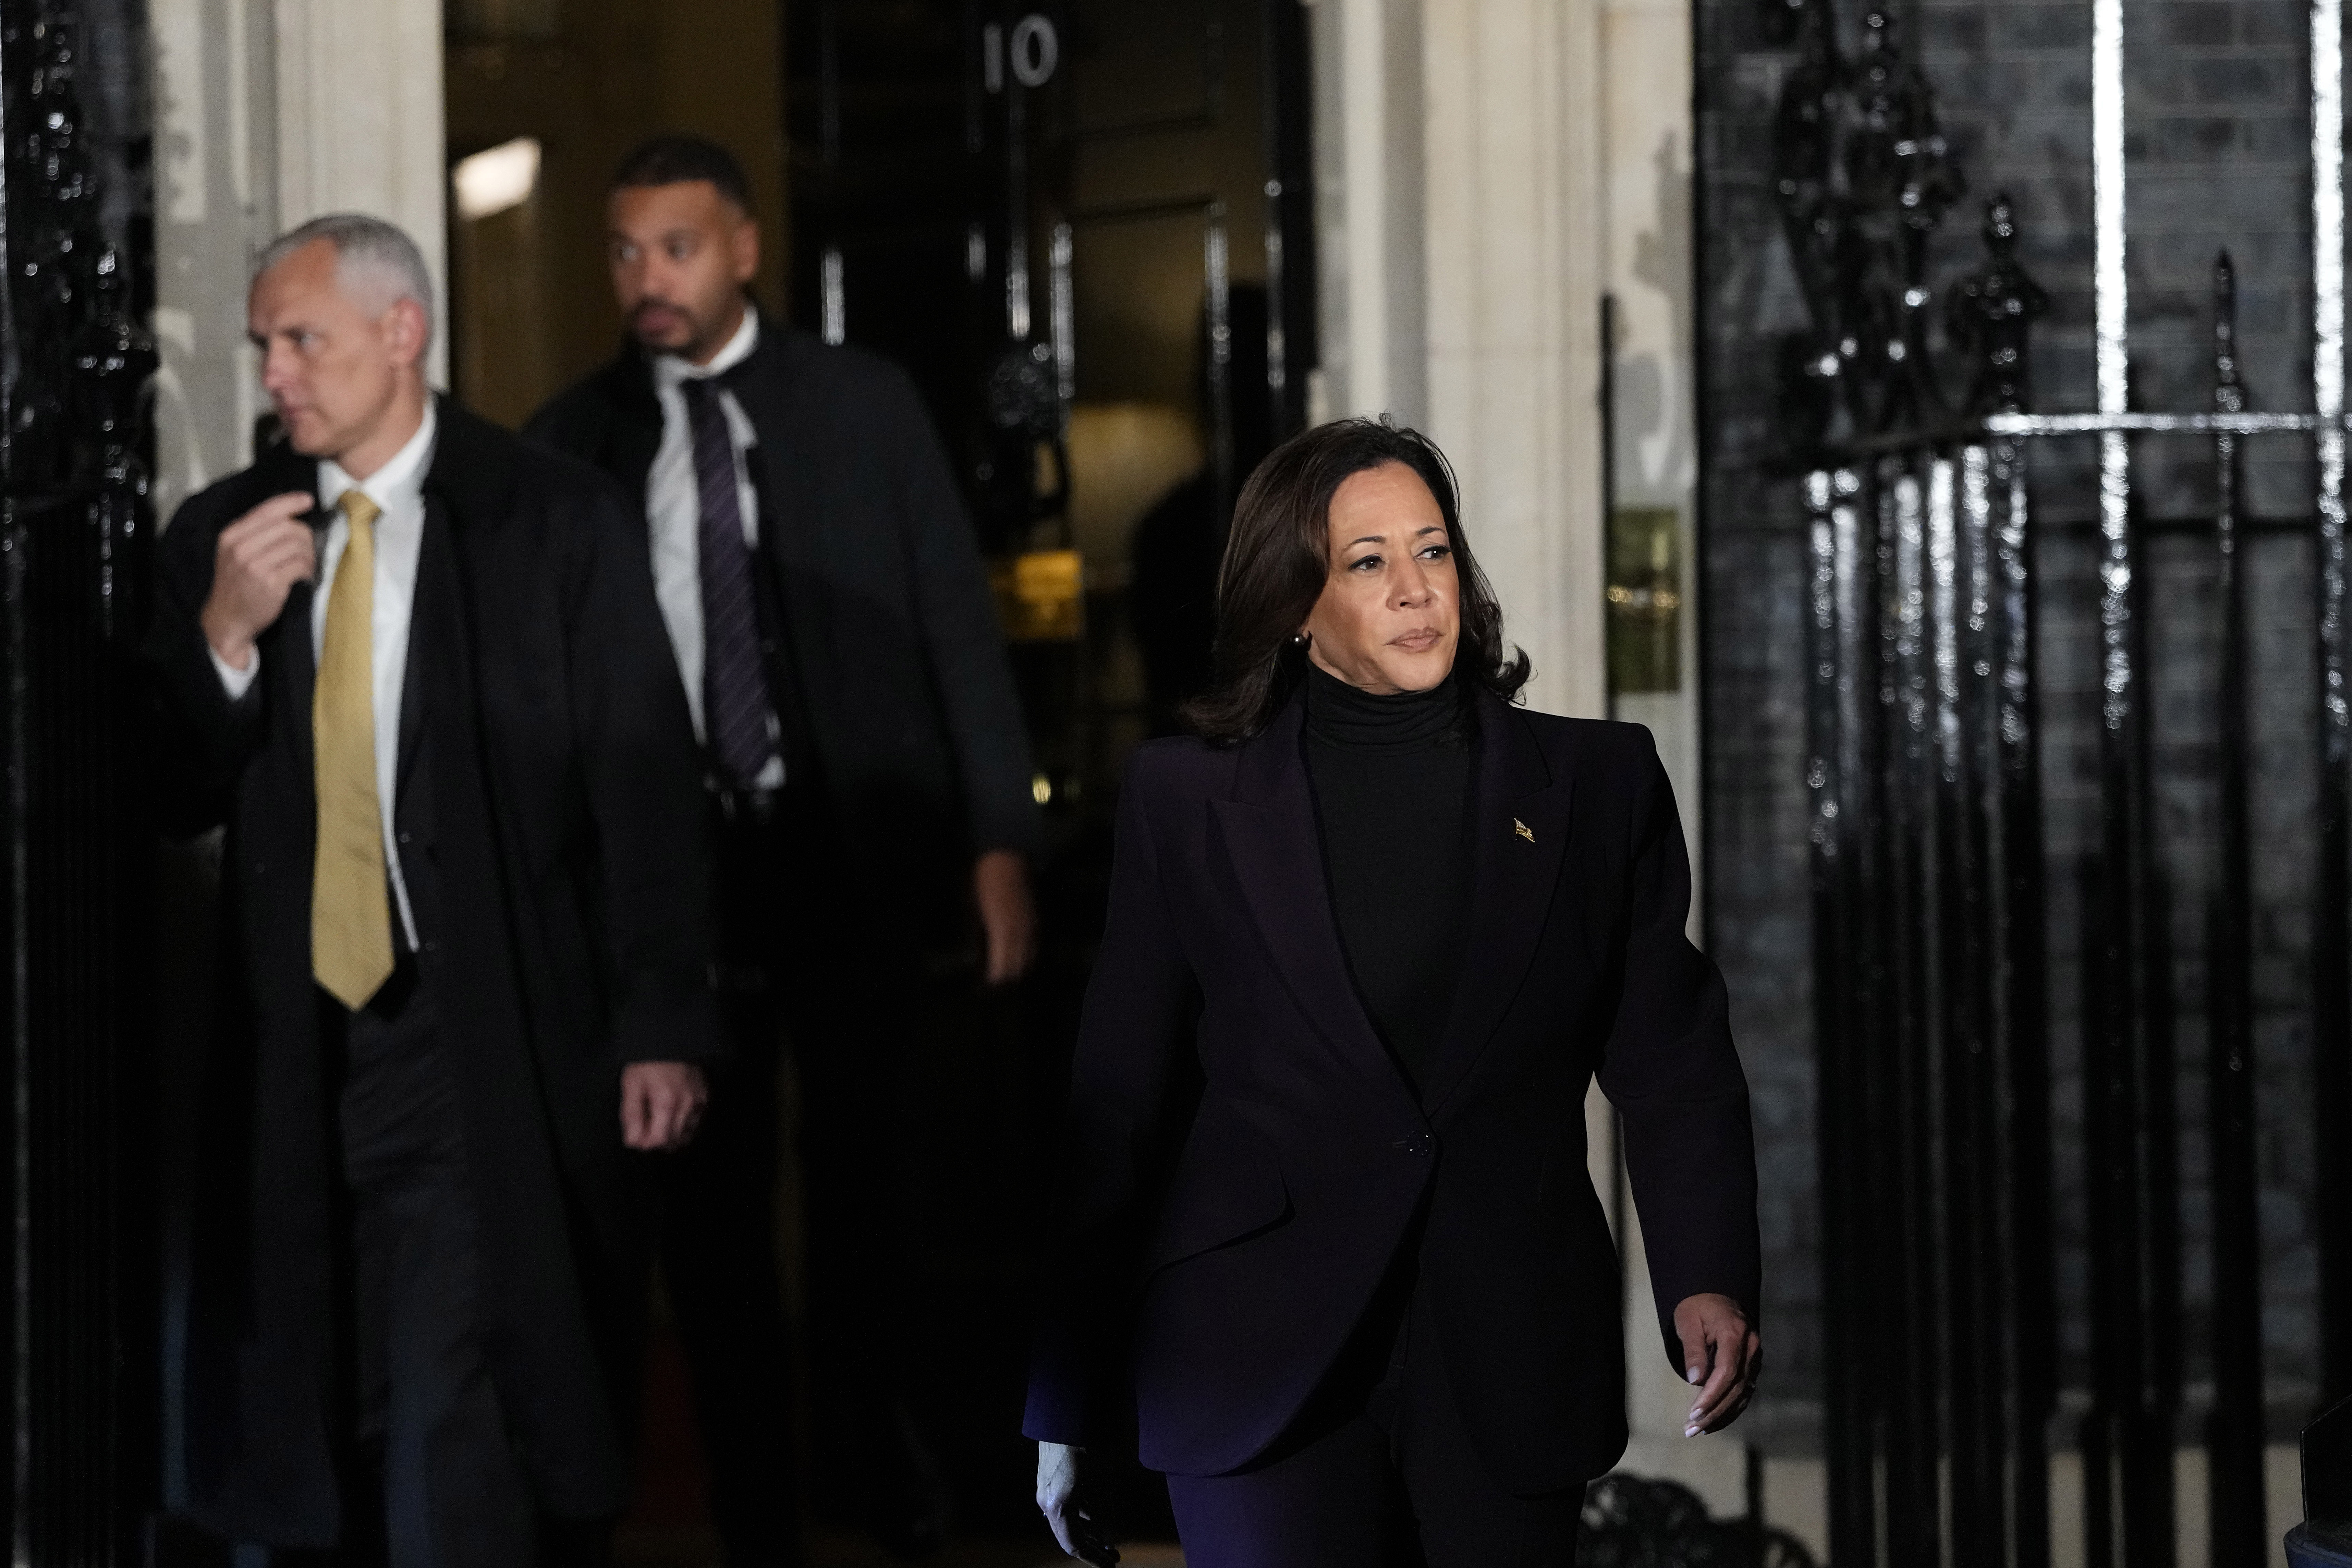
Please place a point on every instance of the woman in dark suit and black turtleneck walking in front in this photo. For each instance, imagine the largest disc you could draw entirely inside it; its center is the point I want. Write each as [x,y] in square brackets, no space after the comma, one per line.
[1372,934]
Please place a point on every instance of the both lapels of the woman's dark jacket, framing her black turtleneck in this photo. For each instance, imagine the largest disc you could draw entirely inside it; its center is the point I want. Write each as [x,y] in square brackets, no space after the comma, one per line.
[1518,836]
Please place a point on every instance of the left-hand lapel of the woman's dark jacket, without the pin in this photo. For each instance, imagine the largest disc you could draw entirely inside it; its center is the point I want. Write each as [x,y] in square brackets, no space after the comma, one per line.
[1274,845]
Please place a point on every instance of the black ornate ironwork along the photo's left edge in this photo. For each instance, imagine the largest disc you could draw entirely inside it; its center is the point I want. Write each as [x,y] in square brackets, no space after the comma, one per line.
[74,530]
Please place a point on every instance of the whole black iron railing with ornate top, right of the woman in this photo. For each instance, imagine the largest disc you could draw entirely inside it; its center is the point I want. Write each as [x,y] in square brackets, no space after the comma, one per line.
[1930,880]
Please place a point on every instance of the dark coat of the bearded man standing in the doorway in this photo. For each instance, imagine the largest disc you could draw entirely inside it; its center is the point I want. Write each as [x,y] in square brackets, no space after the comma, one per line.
[893,634]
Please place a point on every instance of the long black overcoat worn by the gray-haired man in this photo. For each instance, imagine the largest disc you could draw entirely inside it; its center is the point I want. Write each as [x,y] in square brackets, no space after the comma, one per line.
[552,833]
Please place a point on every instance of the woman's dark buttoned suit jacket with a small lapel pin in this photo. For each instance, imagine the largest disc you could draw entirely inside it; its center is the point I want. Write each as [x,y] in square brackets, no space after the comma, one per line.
[1227,1285]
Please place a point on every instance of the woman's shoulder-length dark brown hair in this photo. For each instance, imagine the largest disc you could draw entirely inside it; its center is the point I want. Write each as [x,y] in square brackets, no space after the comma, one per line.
[1278,558]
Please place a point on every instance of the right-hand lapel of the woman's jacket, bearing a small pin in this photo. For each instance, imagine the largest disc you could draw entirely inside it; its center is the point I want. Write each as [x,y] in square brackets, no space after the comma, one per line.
[1518,838]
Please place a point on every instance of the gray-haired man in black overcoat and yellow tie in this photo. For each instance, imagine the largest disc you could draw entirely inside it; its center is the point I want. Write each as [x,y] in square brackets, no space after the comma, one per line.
[417,674]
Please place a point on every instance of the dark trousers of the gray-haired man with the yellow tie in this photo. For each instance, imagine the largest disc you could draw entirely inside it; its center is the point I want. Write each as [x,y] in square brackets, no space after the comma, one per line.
[432,1480]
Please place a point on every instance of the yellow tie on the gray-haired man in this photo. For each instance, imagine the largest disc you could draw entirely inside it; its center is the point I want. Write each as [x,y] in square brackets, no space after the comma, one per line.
[352,920]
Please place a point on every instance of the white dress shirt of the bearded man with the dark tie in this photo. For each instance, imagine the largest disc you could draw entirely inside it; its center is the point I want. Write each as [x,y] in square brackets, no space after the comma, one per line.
[674,511]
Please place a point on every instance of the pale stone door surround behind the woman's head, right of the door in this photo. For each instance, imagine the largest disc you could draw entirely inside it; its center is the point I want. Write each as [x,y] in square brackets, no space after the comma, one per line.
[1488,170]
